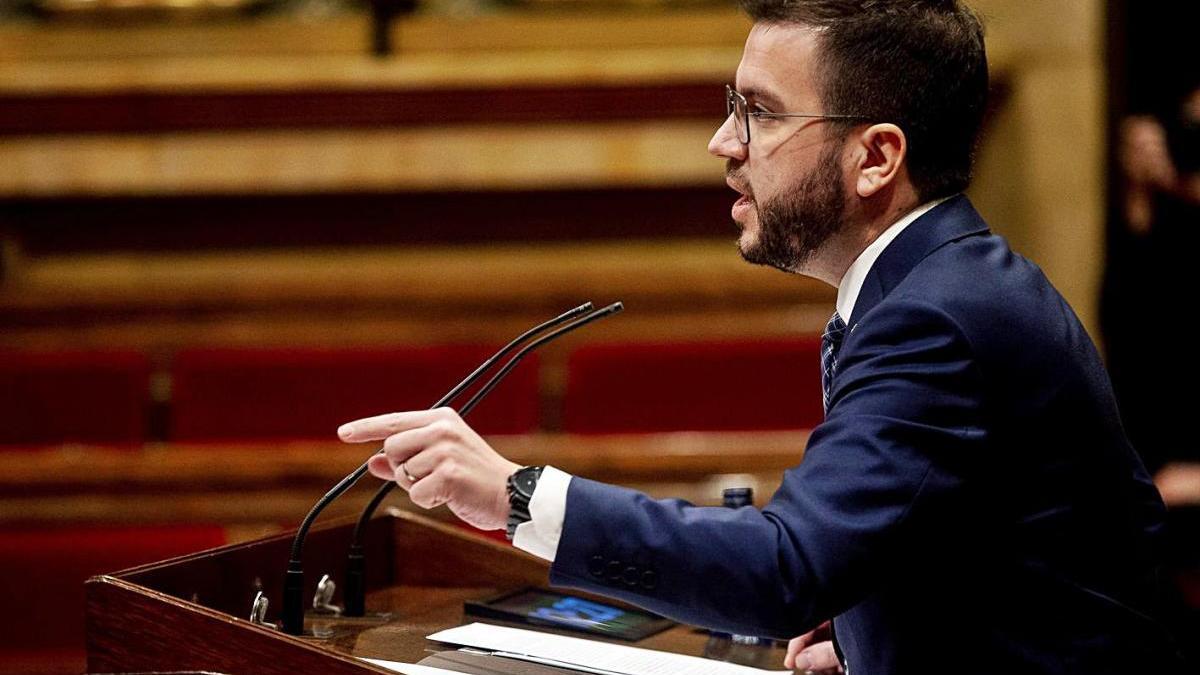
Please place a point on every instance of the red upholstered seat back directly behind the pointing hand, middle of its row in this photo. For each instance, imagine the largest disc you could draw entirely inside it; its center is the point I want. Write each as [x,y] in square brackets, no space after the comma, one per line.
[245,395]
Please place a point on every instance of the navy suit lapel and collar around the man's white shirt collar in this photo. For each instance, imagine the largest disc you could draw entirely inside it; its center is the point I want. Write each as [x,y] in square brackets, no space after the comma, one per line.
[950,222]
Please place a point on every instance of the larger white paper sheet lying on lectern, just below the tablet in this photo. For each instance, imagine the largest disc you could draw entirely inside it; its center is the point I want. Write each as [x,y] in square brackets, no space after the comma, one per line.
[589,655]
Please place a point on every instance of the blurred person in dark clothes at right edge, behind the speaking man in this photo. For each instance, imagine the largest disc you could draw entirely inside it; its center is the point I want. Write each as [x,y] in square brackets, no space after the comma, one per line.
[1150,291]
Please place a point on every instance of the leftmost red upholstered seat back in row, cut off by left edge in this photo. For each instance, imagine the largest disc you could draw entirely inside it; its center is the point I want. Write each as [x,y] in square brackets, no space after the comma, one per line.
[74,397]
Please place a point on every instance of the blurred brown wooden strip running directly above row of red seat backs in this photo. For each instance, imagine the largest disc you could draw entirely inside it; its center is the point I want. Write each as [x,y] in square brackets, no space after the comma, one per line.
[376,326]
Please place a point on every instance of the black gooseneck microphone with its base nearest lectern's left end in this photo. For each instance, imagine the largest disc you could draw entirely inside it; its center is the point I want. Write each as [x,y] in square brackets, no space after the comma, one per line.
[293,582]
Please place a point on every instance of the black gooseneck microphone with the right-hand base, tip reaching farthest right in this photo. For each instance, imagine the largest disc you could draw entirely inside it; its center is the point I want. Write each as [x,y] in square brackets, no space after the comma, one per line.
[356,564]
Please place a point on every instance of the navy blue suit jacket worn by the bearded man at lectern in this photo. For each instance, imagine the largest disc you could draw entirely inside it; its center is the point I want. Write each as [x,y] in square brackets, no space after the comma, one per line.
[970,504]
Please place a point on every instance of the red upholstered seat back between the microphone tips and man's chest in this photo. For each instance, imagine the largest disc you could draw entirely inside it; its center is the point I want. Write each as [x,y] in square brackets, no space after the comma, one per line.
[759,385]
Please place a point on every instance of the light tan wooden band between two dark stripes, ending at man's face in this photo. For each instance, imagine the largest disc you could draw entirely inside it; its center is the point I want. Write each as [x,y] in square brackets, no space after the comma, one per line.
[479,157]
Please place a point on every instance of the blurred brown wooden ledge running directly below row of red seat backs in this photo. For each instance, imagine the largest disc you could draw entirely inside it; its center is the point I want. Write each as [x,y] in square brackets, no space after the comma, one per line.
[224,467]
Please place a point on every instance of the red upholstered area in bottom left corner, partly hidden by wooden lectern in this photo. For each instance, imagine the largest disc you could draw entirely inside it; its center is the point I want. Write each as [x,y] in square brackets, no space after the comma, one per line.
[41,578]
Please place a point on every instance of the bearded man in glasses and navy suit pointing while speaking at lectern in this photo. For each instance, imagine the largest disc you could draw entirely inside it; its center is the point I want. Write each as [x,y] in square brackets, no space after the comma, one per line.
[970,504]
